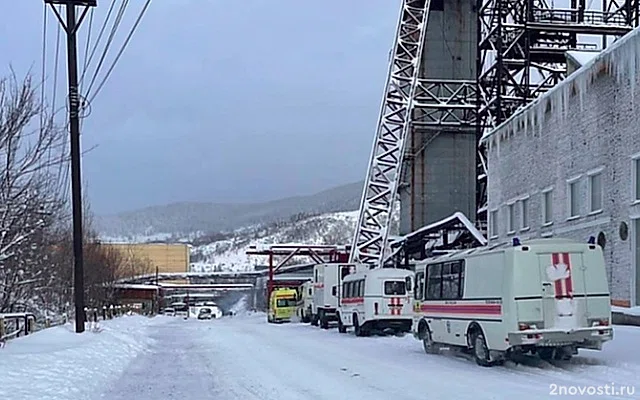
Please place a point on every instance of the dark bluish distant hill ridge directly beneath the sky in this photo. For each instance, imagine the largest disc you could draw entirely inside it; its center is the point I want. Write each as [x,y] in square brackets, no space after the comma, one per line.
[189,219]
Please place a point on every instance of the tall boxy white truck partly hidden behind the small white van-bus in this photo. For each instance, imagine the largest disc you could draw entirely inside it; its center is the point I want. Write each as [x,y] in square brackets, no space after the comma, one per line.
[327,279]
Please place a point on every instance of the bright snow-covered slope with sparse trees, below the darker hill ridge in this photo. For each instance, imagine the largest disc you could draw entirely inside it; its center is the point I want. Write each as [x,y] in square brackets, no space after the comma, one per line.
[229,254]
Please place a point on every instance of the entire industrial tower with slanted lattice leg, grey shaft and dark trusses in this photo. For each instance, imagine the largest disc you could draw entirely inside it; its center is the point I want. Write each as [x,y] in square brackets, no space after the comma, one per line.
[459,68]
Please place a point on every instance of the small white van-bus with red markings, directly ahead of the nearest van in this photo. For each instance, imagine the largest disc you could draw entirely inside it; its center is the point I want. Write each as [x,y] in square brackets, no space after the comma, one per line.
[376,300]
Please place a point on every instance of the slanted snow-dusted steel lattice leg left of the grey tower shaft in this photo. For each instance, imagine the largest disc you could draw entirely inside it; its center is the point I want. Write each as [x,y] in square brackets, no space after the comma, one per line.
[383,175]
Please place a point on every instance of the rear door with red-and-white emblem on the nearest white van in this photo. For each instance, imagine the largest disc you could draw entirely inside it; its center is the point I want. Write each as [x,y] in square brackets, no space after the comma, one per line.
[563,287]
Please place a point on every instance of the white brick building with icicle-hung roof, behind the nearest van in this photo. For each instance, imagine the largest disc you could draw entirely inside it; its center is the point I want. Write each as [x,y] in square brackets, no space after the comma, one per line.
[568,165]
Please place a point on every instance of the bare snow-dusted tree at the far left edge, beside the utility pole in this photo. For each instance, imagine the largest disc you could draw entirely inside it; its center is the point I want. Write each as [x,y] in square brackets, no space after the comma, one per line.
[30,203]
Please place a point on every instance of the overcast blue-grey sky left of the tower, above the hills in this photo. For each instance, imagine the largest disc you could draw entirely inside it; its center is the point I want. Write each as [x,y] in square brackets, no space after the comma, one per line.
[220,100]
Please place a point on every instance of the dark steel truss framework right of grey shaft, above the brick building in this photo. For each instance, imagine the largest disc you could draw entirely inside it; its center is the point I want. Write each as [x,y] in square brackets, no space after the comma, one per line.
[521,53]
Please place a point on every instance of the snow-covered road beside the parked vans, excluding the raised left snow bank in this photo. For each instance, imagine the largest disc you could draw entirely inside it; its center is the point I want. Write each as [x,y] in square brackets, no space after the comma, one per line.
[246,358]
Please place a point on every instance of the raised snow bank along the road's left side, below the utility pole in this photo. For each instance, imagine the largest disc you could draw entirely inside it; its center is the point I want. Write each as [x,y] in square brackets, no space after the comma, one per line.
[58,364]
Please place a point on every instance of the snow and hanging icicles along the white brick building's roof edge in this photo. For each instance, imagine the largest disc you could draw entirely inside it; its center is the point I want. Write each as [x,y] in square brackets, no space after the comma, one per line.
[622,58]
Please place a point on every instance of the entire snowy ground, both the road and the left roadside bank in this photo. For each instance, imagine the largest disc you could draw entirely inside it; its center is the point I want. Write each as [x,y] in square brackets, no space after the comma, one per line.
[243,357]
